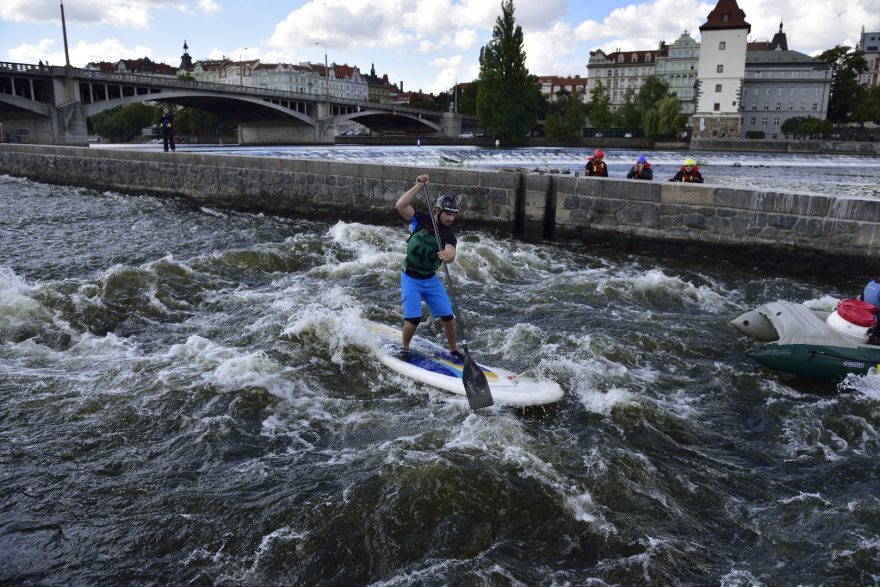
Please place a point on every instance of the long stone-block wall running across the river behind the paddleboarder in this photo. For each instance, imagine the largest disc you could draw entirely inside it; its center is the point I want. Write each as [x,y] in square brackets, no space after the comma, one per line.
[785,230]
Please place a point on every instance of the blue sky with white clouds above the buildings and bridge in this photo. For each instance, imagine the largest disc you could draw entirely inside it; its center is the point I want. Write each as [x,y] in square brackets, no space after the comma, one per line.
[426,44]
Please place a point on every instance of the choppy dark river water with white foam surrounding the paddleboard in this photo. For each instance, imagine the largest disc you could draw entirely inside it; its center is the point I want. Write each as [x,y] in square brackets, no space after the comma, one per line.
[189,397]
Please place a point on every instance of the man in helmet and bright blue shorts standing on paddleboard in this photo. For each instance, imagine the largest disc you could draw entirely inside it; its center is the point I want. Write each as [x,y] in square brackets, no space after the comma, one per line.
[418,279]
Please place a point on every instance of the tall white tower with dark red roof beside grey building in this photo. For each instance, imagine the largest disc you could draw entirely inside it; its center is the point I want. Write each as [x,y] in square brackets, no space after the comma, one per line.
[724,38]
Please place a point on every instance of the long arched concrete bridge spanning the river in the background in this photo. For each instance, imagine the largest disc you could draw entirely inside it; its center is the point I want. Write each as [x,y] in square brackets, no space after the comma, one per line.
[43,104]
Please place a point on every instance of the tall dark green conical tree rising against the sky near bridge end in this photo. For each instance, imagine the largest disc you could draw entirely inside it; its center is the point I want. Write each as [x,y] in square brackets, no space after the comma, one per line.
[508,95]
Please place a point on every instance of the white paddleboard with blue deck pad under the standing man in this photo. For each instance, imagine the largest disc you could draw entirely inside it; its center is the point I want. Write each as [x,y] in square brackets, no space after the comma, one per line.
[430,363]
